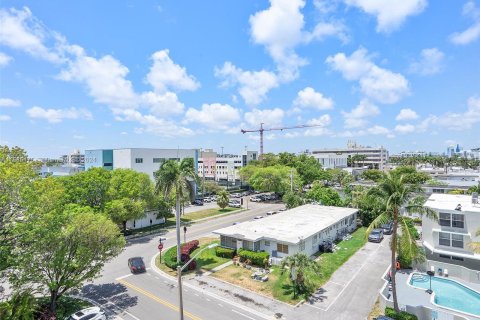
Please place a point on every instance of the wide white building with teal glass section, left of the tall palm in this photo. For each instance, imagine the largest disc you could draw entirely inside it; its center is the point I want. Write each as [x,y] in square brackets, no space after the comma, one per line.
[144,160]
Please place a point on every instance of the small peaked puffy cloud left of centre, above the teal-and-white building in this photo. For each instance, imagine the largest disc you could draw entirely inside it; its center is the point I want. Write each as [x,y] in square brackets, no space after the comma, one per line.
[166,75]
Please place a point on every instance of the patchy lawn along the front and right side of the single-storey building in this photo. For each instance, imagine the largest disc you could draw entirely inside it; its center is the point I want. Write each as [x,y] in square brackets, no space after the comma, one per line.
[279,285]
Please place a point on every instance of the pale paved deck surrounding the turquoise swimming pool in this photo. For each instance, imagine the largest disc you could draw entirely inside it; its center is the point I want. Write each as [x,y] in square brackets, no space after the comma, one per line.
[408,295]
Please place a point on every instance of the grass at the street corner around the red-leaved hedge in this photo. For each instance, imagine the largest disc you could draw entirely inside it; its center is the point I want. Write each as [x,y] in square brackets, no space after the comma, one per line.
[206,261]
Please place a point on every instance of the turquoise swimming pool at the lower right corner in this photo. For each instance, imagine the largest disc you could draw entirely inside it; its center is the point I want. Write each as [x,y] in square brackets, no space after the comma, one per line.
[449,294]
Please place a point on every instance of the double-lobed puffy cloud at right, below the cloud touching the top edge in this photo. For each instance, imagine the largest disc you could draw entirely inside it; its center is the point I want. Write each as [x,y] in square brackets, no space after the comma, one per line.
[377,83]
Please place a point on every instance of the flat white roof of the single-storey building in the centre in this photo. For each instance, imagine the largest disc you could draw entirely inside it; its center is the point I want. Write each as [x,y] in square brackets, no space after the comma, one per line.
[290,225]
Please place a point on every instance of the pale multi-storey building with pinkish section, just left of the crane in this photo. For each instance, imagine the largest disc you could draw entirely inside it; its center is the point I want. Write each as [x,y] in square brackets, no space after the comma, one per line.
[218,167]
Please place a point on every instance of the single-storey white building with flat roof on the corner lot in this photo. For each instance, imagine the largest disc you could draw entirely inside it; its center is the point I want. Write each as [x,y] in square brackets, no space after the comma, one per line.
[301,229]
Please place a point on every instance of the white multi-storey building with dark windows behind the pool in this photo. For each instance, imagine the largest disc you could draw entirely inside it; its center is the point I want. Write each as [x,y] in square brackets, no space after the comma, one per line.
[446,241]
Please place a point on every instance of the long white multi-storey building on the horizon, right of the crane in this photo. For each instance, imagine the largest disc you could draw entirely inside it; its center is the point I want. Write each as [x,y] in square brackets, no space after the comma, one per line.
[376,157]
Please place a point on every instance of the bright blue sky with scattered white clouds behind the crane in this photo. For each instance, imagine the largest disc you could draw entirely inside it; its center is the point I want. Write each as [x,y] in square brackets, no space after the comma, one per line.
[191,74]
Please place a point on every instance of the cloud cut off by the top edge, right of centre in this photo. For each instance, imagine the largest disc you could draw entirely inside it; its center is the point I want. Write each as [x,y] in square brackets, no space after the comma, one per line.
[390,14]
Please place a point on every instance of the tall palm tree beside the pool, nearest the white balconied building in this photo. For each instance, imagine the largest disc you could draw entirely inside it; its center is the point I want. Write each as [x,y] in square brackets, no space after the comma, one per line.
[397,194]
